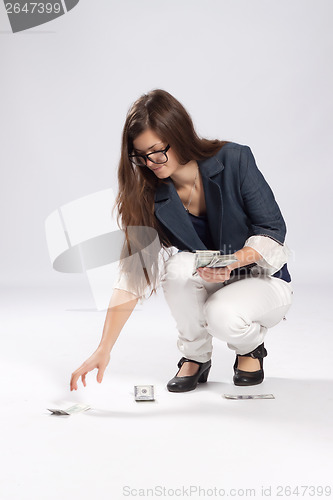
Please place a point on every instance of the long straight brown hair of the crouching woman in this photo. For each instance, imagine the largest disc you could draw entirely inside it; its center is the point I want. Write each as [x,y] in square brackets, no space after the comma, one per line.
[161,112]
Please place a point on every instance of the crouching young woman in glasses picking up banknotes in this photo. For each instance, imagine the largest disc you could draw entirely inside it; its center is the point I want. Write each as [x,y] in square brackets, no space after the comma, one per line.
[199,194]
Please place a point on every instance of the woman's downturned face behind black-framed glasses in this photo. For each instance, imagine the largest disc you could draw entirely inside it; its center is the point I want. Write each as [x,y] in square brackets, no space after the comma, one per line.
[148,142]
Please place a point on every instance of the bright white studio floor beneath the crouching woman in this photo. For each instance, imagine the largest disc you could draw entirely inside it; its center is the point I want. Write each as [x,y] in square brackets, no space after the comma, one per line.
[194,440]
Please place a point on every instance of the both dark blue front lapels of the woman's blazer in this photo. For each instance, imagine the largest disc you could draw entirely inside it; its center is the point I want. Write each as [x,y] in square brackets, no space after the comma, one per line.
[171,212]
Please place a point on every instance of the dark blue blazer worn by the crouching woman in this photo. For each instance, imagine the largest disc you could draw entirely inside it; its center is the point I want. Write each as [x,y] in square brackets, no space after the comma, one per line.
[239,204]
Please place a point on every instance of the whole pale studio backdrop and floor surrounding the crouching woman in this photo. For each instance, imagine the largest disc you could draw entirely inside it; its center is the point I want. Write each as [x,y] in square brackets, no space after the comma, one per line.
[256,72]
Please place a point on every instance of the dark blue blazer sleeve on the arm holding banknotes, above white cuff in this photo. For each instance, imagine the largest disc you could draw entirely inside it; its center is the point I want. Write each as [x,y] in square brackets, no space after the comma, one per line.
[259,201]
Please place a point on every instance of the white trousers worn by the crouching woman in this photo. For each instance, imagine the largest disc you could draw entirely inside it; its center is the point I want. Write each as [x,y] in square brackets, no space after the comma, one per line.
[238,311]
